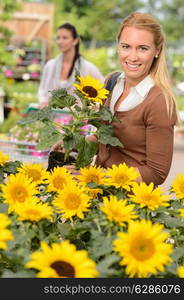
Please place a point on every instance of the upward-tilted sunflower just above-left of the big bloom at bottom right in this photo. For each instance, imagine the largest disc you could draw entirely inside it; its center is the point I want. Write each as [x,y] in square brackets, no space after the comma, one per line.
[117,210]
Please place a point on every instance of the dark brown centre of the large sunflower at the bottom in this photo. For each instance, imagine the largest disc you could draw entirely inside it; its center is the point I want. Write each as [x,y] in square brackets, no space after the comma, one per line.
[63,269]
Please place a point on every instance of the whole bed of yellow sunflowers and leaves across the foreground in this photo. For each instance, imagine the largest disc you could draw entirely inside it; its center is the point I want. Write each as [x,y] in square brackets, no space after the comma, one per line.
[100,223]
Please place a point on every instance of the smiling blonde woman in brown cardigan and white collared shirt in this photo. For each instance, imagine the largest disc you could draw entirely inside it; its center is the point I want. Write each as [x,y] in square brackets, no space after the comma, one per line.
[142,99]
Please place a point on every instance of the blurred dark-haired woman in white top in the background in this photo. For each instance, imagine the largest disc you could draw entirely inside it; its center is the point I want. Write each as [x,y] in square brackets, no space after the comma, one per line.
[59,72]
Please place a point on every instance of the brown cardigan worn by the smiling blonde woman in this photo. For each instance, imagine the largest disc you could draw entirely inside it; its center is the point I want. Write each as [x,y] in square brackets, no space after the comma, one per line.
[146,132]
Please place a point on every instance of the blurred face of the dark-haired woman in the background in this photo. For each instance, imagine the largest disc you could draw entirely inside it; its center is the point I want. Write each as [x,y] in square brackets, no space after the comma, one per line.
[65,40]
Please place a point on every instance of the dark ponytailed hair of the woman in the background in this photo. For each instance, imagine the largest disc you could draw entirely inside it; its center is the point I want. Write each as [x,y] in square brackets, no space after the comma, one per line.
[75,35]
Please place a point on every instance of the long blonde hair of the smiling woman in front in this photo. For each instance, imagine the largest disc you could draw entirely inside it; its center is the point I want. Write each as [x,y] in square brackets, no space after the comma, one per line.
[158,71]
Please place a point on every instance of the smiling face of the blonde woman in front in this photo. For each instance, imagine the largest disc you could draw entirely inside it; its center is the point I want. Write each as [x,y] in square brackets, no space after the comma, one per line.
[137,51]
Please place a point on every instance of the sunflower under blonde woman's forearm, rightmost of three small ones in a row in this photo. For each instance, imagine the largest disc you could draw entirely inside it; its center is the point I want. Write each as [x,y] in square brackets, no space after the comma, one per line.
[121,176]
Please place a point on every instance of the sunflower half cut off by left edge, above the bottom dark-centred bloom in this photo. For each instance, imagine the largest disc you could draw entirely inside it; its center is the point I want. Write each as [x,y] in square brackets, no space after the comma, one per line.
[5,234]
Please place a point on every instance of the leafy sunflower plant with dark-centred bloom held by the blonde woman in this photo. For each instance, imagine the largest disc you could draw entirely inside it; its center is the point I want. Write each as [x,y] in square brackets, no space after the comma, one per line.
[86,108]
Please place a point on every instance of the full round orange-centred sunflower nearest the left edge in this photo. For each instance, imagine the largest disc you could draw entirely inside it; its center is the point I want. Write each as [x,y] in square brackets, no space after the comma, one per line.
[18,189]
